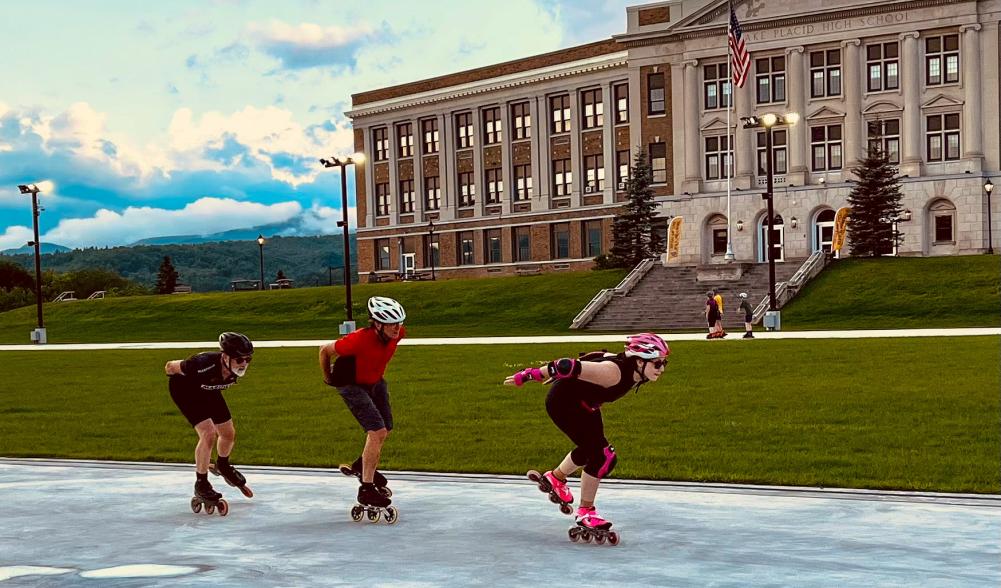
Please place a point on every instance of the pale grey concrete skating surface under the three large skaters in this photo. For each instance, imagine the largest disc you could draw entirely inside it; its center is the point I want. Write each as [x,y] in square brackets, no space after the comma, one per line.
[117,524]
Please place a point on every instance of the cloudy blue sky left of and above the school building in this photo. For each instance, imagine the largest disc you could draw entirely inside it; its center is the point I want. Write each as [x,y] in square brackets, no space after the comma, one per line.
[184,118]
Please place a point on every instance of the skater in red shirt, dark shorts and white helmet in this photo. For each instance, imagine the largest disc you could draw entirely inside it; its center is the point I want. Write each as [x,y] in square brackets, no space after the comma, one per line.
[362,360]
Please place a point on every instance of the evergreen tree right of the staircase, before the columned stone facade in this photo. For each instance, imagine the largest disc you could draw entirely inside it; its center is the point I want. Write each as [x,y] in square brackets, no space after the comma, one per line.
[875,202]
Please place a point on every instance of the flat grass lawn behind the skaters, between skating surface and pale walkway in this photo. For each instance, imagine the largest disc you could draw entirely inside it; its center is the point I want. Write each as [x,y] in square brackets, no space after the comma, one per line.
[917,414]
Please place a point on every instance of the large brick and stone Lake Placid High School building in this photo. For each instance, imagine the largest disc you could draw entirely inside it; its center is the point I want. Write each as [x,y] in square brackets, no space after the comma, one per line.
[924,72]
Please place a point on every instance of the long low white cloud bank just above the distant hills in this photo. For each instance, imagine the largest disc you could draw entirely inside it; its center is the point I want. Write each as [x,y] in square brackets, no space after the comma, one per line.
[204,217]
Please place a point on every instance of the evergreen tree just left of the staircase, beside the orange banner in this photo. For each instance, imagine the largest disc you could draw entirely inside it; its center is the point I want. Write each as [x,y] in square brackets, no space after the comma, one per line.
[634,233]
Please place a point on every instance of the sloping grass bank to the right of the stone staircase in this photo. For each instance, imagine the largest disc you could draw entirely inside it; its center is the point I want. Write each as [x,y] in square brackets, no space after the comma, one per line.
[900,293]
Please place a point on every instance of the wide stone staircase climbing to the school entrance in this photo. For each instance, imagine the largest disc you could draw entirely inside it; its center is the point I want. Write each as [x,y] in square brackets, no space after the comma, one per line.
[673,299]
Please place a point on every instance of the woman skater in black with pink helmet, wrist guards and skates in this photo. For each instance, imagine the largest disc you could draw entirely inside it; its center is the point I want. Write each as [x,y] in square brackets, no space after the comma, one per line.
[580,388]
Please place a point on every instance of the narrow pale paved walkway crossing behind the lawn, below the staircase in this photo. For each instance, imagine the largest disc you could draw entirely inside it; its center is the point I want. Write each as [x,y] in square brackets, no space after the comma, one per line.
[736,336]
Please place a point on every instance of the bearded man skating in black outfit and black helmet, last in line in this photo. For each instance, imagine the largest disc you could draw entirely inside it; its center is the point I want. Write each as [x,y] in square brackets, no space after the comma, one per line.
[197,386]
